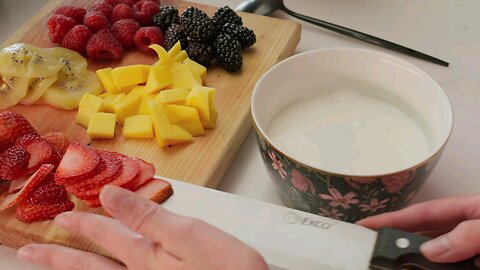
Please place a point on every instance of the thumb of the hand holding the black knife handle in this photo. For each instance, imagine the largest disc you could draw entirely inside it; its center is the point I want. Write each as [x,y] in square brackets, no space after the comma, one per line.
[461,243]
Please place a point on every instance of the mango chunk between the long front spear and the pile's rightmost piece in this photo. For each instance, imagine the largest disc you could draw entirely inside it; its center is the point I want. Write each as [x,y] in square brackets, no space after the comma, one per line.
[186,117]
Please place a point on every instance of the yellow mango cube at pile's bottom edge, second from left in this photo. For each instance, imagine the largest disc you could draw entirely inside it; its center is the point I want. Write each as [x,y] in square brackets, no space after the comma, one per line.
[138,126]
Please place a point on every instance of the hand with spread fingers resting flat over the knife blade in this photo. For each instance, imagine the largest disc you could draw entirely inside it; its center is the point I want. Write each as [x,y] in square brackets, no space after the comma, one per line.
[145,236]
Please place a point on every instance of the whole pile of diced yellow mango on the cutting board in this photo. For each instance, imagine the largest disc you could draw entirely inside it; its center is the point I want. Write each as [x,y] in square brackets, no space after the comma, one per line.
[167,99]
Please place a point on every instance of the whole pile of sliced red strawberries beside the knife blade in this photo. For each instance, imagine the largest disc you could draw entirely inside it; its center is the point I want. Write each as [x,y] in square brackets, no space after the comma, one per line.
[31,180]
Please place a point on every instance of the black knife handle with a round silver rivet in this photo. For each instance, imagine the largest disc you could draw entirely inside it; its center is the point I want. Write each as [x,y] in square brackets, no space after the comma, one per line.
[398,250]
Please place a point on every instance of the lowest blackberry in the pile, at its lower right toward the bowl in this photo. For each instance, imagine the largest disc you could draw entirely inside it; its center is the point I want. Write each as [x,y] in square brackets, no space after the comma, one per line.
[229,52]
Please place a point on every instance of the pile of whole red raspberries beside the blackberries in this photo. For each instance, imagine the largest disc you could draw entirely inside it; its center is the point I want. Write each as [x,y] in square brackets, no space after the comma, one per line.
[107,28]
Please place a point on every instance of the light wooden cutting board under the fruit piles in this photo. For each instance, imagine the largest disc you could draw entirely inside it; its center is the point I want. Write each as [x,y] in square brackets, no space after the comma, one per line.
[202,162]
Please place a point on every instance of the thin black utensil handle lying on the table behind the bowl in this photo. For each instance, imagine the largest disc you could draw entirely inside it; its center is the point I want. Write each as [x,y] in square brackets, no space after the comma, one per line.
[366,37]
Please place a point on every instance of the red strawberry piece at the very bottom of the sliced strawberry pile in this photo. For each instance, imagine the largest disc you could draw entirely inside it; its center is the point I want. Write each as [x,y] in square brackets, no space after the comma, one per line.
[32,213]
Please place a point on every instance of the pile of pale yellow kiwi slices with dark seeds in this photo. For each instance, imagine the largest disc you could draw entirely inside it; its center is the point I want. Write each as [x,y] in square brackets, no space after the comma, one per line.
[57,76]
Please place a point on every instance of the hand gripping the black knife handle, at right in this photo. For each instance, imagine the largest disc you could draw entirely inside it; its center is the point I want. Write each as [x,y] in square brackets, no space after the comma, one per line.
[454,221]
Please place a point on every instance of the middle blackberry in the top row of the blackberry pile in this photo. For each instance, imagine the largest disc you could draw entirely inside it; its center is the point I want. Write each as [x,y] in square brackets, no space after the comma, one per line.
[196,24]
